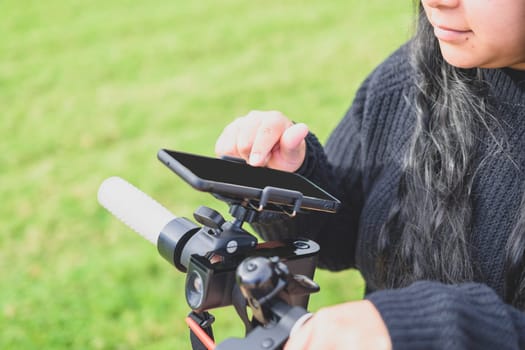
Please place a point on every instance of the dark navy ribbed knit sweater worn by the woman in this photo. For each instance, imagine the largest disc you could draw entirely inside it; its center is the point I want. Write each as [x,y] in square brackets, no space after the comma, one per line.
[361,165]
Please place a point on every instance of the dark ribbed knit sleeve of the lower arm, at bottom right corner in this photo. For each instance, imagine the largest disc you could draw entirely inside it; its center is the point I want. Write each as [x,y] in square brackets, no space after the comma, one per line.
[431,315]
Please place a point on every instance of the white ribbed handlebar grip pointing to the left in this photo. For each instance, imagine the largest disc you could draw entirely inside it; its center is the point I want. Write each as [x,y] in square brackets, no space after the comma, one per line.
[134,208]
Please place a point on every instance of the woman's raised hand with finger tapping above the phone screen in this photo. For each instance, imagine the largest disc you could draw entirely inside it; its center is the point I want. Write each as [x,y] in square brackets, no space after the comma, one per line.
[265,139]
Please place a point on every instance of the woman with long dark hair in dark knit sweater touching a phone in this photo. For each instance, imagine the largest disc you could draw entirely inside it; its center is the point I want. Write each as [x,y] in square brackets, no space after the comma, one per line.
[429,164]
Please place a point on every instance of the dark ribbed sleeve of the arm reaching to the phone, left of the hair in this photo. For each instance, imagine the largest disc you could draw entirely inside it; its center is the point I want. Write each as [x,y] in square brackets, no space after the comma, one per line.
[353,156]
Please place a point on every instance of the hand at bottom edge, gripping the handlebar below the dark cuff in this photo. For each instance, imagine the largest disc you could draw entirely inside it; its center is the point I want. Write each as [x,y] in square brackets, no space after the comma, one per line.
[355,325]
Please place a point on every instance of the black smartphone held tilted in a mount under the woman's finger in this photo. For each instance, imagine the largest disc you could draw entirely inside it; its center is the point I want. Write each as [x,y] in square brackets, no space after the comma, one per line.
[236,180]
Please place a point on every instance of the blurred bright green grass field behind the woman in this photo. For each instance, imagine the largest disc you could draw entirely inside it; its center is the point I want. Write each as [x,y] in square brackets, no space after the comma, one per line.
[91,89]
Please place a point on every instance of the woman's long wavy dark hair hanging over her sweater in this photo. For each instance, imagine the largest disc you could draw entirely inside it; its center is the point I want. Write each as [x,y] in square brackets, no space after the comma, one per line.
[426,235]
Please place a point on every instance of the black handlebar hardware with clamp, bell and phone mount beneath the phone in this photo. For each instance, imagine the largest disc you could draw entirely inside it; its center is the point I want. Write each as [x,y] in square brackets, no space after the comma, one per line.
[225,265]
